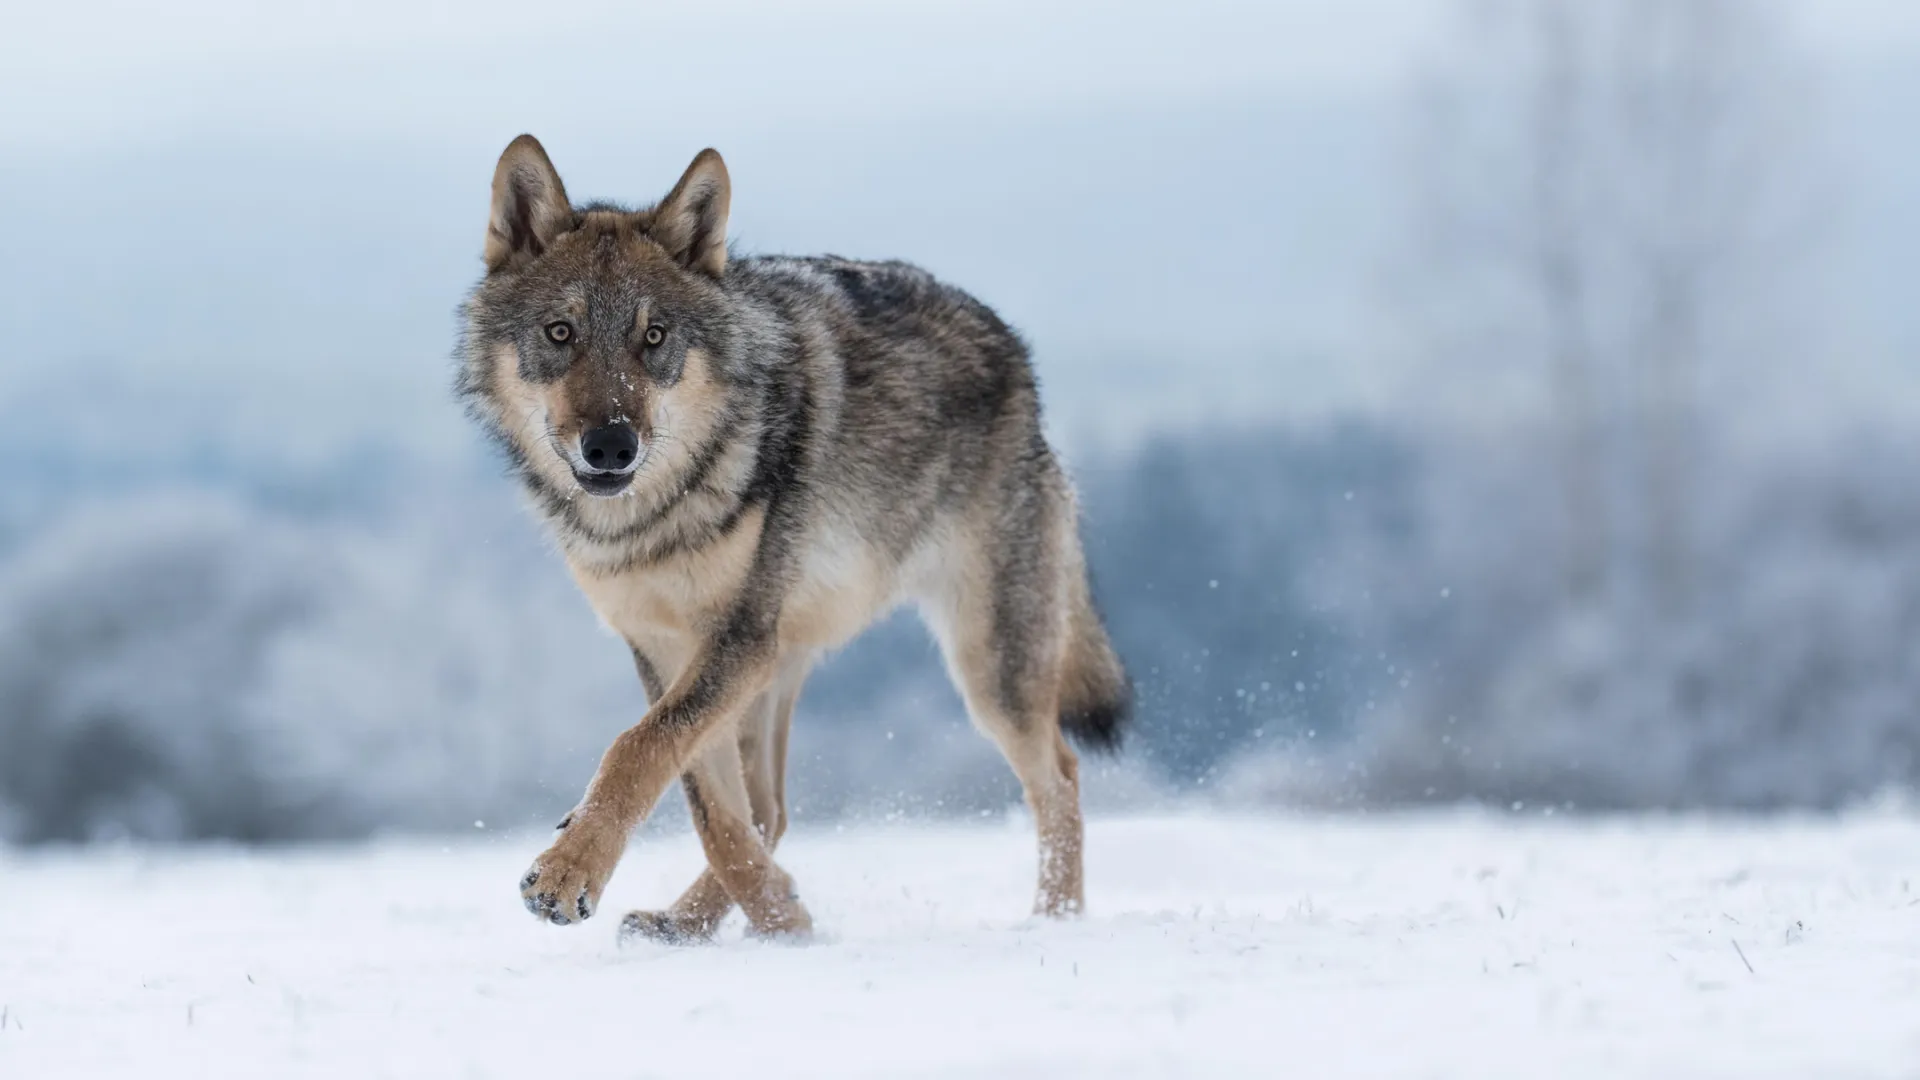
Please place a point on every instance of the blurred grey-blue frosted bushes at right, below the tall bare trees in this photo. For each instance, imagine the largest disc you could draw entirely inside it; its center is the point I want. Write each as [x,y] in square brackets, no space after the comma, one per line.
[1788,675]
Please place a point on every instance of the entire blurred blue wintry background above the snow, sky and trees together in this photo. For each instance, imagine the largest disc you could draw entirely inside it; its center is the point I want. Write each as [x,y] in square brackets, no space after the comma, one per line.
[1508,401]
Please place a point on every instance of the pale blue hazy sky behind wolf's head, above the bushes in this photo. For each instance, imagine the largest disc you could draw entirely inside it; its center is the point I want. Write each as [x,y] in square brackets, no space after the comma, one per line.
[268,212]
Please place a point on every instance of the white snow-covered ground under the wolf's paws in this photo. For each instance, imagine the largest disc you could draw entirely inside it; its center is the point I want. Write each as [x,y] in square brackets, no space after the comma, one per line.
[1218,946]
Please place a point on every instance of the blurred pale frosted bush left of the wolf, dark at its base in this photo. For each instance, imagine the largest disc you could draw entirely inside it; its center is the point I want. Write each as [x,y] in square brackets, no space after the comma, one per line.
[191,668]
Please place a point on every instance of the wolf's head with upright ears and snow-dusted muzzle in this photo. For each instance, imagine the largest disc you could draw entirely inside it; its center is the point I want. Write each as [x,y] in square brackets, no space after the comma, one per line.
[598,335]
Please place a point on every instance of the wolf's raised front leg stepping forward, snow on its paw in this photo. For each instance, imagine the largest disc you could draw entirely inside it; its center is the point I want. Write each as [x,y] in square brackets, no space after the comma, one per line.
[565,883]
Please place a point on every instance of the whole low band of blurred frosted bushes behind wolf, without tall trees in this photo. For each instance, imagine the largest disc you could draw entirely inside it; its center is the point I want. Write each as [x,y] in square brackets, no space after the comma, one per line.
[1337,618]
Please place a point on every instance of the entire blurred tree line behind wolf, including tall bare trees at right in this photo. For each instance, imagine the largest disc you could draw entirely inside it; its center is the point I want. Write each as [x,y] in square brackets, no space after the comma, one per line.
[1616,547]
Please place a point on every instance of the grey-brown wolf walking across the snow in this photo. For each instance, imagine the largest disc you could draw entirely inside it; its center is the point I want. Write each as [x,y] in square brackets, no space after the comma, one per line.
[746,462]
